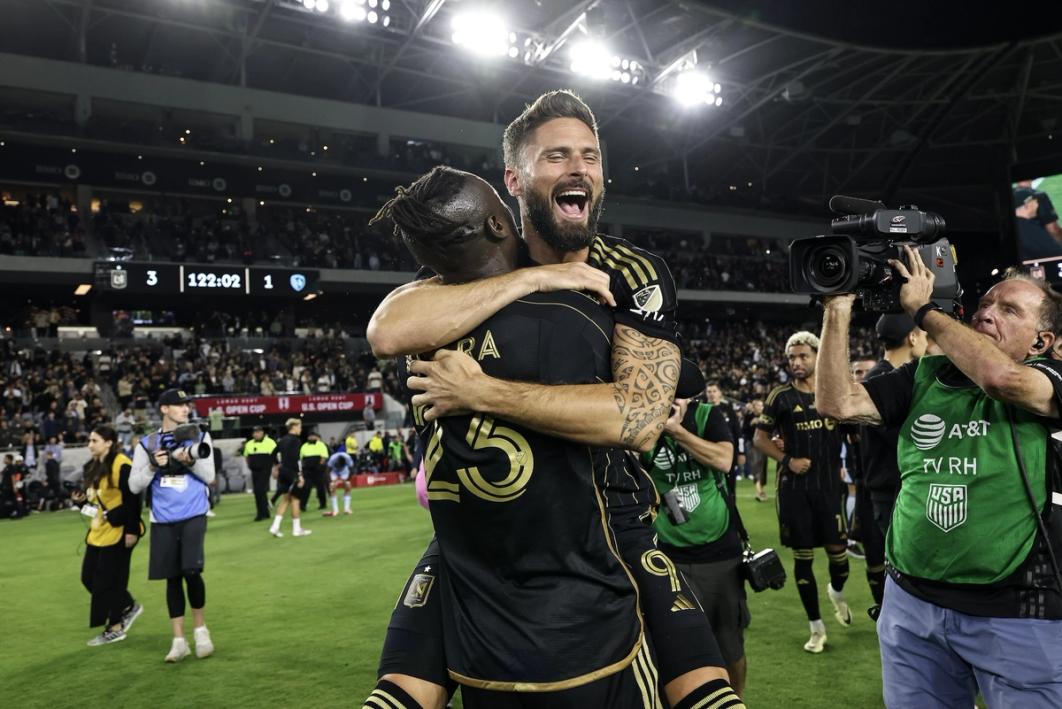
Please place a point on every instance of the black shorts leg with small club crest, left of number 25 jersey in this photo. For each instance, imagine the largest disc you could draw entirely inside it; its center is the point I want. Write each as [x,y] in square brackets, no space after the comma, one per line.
[415,643]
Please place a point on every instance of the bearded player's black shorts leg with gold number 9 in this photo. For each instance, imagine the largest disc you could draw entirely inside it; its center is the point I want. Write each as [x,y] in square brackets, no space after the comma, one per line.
[678,629]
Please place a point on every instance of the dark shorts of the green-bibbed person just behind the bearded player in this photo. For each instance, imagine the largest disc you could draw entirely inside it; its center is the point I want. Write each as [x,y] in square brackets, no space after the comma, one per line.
[721,589]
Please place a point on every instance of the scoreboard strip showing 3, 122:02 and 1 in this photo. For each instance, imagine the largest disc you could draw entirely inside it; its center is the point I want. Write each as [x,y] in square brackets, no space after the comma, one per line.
[209,280]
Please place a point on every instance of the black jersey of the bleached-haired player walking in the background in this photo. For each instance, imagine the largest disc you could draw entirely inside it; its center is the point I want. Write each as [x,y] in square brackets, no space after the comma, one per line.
[807,435]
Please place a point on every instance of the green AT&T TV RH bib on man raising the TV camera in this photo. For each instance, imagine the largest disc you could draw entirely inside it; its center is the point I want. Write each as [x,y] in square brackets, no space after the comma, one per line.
[963,515]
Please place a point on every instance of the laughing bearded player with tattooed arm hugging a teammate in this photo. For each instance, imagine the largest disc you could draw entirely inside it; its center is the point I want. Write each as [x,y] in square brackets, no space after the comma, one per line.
[554,168]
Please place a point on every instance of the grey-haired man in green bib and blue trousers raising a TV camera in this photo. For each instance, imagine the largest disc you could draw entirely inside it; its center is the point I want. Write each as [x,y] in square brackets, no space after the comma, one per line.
[970,602]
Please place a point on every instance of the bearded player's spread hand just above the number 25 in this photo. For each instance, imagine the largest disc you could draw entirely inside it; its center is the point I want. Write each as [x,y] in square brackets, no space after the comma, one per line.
[449,384]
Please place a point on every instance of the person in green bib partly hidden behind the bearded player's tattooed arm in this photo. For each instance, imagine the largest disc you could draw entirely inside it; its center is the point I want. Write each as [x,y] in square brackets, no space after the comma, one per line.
[689,466]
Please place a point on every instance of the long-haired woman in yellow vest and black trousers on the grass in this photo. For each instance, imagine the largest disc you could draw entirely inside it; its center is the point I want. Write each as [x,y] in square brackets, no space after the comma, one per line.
[115,531]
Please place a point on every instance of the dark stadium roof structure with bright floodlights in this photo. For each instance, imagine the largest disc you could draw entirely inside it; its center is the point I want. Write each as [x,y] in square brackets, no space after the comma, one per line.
[931,107]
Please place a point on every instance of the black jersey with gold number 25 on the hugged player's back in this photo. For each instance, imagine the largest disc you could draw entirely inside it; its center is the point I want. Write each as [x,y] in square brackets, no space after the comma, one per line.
[535,592]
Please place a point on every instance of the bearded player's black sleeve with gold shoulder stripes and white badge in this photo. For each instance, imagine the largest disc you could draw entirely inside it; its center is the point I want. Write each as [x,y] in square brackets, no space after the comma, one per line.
[646,297]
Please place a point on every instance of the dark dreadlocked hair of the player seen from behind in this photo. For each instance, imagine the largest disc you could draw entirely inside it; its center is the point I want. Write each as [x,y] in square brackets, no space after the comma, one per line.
[415,212]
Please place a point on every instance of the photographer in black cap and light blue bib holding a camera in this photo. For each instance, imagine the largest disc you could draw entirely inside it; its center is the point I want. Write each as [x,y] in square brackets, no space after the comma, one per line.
[179,471]
